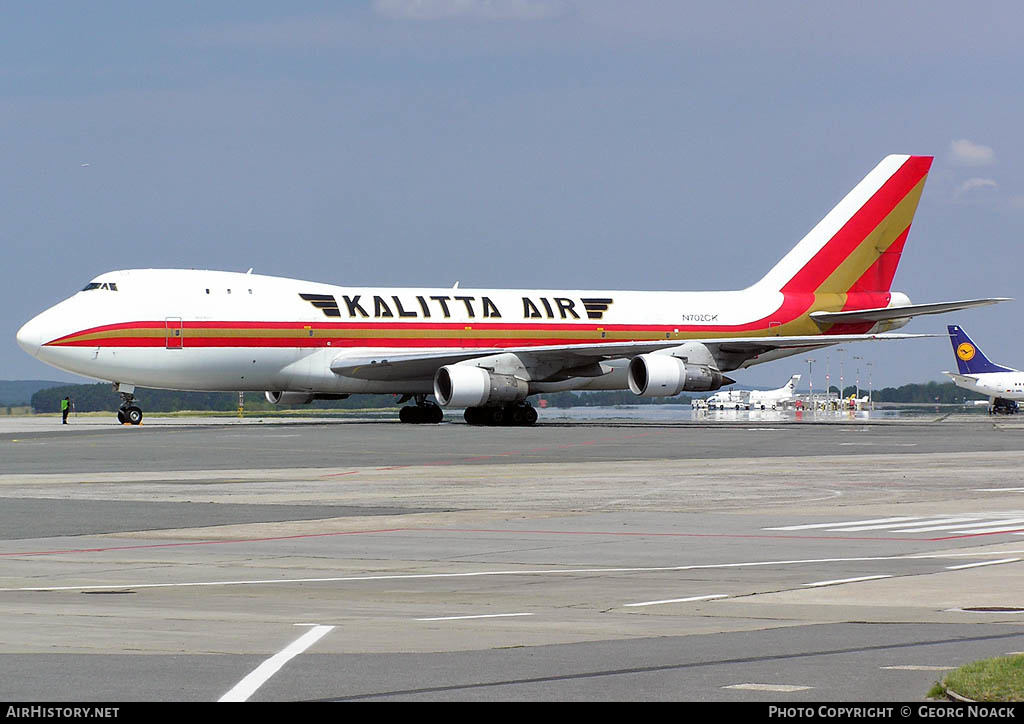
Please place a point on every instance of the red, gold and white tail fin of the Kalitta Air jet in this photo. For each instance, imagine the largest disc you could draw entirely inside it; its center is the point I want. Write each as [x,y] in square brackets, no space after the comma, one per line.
[858,246]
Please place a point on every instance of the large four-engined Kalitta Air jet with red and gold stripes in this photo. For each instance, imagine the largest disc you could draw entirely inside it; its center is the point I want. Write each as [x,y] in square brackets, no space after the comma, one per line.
[489,350]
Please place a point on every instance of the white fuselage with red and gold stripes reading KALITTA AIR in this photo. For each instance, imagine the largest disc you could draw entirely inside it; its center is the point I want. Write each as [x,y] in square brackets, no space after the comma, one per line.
[225,331]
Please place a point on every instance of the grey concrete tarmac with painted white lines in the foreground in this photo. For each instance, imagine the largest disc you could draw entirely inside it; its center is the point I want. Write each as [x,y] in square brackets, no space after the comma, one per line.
[731,559]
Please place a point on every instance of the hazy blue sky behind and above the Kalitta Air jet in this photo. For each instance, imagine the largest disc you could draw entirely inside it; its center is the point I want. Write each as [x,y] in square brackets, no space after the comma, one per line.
[540,144]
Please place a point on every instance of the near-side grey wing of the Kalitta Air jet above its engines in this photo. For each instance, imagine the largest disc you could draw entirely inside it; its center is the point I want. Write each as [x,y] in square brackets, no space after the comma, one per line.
[579,360]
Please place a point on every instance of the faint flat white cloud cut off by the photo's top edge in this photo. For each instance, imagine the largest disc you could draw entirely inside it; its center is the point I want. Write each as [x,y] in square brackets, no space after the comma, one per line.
[471,10]
